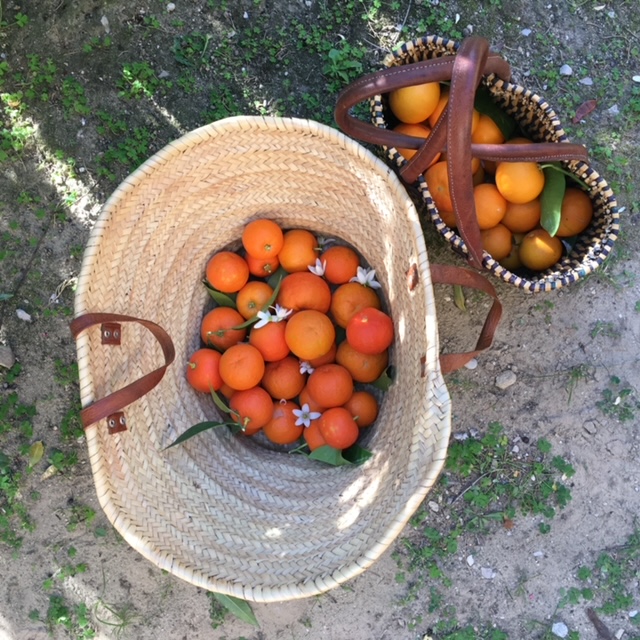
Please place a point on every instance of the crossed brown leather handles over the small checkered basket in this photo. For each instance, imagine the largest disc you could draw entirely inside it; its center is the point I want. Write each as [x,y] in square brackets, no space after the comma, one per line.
[452,131]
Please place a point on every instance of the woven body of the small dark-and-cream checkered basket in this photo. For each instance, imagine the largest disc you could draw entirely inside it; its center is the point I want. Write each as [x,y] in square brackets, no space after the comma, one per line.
[538,121]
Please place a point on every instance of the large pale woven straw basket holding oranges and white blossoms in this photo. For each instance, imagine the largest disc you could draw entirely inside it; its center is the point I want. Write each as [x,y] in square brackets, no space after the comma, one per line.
[221,511]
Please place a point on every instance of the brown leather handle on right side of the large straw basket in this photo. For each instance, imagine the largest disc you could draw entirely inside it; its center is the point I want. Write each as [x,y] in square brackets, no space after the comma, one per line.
[449,274]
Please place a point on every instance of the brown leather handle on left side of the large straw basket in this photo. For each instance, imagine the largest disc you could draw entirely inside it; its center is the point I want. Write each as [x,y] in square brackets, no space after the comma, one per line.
[116,401]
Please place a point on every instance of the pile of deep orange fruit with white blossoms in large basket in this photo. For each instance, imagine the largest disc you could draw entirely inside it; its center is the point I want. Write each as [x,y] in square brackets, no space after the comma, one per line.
[302,337]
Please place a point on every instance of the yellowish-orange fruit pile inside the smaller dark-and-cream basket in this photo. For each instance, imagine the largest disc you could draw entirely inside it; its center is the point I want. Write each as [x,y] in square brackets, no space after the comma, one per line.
[507,194]
